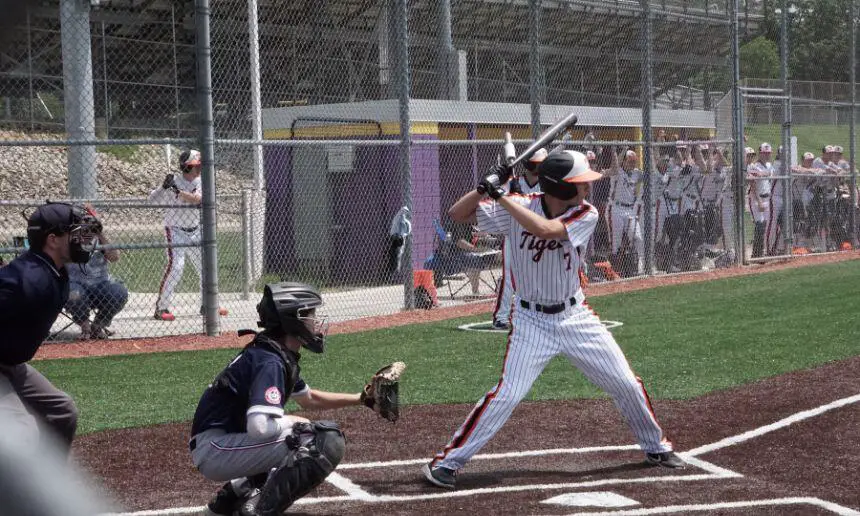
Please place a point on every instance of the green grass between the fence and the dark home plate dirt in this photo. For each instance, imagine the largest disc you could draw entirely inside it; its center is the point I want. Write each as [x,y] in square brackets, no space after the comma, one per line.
[685,341]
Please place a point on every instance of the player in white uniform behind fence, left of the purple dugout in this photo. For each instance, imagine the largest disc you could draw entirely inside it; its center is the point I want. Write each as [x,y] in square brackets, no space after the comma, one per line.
[181,227]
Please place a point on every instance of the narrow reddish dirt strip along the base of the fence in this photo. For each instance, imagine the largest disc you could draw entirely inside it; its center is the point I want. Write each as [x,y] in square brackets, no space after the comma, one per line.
[197,342]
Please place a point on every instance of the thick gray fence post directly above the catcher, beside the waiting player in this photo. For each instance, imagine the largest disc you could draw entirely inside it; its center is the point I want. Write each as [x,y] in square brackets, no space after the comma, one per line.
[207,151]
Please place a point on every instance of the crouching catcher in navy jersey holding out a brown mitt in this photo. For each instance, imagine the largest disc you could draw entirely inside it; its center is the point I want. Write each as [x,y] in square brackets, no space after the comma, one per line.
[240,433]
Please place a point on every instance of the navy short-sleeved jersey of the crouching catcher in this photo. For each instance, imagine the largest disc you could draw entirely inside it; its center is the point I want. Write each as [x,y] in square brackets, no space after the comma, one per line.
[257,378]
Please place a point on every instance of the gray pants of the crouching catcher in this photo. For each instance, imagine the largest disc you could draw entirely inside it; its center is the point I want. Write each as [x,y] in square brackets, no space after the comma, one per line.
[221,456]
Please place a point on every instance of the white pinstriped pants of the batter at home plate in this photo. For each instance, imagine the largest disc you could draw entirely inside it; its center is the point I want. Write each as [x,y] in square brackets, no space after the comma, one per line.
[535,339]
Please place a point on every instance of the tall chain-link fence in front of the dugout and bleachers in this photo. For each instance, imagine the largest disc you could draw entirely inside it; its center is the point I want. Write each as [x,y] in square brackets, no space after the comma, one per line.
[334,136]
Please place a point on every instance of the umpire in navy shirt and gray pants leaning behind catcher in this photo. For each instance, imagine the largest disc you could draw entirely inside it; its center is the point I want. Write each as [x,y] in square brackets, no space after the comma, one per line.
[34,287]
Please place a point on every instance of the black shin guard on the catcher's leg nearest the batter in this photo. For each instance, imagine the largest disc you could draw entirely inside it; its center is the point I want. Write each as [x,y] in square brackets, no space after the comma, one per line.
[304,468]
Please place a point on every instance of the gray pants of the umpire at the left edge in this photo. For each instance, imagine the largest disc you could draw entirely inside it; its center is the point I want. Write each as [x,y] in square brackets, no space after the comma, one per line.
[29,401]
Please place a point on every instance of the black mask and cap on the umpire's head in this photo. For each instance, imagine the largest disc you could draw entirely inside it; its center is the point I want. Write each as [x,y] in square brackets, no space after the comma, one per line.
[57,218]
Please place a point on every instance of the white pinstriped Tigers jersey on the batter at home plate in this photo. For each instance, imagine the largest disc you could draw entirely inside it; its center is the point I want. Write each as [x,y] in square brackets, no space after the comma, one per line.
[542,271]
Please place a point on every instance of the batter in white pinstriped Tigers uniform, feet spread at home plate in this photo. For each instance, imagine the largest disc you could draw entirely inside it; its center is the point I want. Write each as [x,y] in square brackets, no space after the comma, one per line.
[548,233]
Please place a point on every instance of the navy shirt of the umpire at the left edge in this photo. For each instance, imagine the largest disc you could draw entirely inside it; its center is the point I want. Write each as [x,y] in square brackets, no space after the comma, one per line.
[33,291]
